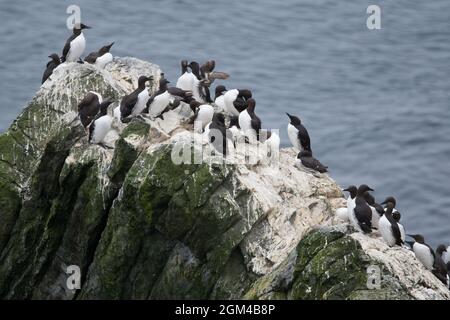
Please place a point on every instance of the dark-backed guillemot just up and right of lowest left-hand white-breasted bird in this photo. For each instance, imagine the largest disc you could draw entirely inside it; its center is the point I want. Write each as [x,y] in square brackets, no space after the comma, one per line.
[135,102]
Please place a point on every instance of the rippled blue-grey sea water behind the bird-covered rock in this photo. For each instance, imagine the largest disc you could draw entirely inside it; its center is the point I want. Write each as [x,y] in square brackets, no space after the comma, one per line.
[376,102]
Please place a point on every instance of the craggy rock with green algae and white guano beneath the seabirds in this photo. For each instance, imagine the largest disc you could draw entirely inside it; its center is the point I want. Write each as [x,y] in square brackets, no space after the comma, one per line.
[140,226]
